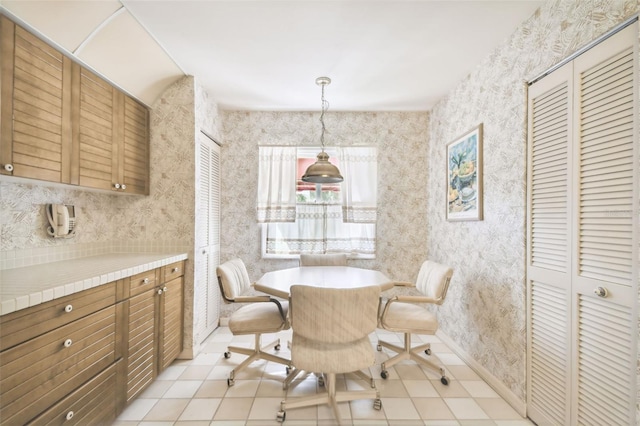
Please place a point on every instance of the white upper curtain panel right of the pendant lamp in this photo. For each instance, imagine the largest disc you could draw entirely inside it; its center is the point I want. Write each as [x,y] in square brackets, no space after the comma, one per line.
[359,166]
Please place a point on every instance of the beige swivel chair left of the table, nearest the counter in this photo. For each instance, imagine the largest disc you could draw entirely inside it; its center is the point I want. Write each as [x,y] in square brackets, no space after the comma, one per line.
[259,314]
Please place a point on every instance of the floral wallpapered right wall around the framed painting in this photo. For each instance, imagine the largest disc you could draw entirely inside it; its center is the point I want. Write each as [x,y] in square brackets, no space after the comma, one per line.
[485,312]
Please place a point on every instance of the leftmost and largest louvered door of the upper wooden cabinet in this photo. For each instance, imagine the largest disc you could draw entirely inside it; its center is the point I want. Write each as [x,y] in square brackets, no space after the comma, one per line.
[36,106]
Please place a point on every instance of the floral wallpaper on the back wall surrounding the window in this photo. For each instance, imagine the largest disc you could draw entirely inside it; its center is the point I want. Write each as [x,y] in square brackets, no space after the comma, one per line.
[401,139]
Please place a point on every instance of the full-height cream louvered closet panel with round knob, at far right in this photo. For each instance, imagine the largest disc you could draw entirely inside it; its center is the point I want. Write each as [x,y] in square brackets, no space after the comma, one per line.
[606,223]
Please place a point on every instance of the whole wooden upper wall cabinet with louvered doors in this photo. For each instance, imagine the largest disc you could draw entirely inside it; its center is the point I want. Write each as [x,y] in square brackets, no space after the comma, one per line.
[60,122]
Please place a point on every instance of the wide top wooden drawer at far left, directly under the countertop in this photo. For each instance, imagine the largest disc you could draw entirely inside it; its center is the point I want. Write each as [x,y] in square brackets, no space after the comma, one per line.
[20,326]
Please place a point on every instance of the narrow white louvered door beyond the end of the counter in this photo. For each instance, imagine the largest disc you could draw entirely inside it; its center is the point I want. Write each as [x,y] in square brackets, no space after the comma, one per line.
[207,257]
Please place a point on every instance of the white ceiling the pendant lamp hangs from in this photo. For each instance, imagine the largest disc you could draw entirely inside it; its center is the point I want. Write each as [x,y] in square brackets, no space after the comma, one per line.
[401,55]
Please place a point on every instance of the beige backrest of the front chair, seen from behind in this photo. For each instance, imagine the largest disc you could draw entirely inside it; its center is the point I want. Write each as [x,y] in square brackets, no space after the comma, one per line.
[334,315]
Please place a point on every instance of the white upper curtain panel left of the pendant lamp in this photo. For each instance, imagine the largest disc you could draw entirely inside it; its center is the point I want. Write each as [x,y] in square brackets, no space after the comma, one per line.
[276,201]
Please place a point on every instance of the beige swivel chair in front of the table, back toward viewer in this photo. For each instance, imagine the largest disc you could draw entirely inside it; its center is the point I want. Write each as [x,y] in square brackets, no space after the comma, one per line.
[331,328]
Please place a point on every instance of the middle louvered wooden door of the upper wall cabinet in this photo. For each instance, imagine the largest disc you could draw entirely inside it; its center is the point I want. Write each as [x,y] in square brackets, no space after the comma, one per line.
[94,132]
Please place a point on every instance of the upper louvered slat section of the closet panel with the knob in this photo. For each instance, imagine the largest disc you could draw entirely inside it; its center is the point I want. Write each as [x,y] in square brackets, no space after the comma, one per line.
[605,245]
